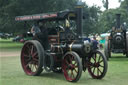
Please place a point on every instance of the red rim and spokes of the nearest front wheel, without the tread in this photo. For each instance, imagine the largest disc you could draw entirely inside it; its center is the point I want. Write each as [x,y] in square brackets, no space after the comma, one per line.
[70,67]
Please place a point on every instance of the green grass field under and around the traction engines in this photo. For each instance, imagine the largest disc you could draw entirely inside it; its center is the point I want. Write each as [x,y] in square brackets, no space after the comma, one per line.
[11,72]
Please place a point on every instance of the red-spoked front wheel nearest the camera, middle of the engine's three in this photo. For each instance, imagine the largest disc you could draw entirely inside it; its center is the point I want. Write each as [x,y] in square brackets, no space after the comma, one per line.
[72,66]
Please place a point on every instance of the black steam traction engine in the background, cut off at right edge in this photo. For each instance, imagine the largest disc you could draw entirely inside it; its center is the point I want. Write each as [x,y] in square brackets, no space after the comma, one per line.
[117,42]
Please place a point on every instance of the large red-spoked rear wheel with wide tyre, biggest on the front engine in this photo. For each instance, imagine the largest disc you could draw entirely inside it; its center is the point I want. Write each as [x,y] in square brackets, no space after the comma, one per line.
[32,58]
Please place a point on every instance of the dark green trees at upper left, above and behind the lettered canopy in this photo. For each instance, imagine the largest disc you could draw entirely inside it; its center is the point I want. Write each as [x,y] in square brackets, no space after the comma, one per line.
[9,9]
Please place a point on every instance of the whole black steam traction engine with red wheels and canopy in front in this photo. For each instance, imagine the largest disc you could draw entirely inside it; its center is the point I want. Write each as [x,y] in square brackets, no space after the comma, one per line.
[61,48]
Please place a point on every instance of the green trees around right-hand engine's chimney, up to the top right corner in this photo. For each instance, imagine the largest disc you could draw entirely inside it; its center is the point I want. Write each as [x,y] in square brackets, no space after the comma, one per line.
[107,18]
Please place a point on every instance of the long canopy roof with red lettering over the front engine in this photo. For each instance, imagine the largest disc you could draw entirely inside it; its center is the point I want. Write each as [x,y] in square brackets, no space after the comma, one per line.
[47,16]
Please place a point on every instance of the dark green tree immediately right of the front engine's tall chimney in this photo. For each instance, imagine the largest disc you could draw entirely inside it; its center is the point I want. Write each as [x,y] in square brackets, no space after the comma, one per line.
[91,21]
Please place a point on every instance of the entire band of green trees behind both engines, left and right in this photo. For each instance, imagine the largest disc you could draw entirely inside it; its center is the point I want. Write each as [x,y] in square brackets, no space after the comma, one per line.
[96,21]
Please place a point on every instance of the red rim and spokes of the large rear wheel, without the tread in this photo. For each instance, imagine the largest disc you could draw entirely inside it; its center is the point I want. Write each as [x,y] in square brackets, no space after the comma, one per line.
[30,59]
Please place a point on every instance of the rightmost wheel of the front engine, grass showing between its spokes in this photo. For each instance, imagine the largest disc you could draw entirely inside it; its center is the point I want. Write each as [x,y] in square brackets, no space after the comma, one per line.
[97,66]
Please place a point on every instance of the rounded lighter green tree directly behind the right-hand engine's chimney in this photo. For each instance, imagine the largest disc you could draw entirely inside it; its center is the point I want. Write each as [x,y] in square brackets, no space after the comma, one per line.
[107,24]
